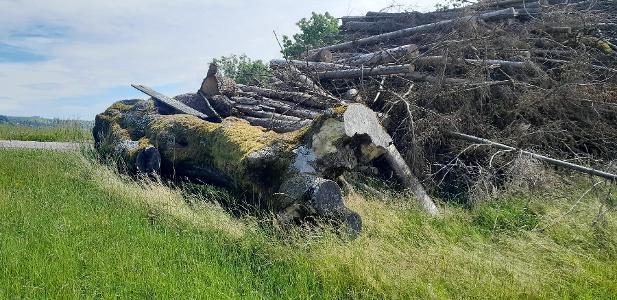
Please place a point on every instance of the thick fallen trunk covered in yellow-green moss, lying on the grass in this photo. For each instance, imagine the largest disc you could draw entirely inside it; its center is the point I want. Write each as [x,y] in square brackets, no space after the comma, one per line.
[232,153]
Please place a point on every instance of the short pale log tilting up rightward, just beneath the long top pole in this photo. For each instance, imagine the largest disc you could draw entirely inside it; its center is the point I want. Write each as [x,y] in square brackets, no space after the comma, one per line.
[393,55]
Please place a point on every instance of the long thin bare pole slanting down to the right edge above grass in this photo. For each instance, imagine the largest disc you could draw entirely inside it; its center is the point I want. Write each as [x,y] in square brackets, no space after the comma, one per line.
[549,160]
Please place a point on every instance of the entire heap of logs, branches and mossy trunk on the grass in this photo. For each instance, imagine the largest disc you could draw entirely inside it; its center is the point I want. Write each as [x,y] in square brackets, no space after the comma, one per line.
[533,74]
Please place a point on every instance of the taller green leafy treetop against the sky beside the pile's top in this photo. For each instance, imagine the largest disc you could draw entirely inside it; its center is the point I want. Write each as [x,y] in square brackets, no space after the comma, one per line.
[317,31]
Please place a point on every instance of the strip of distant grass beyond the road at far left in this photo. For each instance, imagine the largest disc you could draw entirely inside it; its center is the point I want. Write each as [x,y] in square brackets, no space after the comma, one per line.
[62,133]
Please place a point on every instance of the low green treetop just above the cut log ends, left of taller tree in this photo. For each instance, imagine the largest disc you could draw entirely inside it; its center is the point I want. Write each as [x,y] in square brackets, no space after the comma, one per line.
[243,69]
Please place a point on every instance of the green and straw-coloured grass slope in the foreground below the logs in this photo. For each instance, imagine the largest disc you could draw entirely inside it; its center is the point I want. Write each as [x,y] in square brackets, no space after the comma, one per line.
[69,228]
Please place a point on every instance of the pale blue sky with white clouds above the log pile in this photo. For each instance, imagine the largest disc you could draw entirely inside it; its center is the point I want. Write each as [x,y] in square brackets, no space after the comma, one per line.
[71,59]
